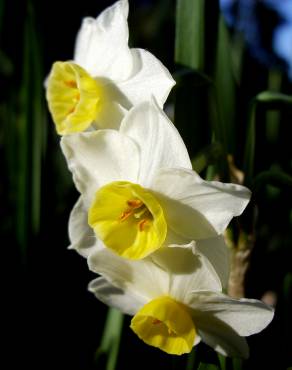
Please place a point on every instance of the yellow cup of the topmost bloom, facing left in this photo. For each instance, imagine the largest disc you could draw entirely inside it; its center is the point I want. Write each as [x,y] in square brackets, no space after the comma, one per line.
[73,97]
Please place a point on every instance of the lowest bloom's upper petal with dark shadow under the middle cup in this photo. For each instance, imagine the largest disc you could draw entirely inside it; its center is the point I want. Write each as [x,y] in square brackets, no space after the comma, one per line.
[189,271]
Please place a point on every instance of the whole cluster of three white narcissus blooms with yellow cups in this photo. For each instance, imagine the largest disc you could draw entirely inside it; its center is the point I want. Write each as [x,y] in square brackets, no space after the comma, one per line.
[145,221]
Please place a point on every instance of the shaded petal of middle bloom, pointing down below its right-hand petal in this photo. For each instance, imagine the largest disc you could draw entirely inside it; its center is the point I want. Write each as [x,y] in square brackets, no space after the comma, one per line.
[218,254]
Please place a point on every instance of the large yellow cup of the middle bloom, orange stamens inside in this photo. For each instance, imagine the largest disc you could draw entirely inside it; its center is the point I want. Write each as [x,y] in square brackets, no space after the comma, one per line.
[128,219]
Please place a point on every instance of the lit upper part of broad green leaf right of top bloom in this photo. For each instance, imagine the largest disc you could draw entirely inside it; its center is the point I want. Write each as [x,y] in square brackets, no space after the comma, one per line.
[189,35]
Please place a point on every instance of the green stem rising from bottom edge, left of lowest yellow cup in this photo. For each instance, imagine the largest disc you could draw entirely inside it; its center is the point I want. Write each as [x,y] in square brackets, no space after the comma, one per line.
[107,354]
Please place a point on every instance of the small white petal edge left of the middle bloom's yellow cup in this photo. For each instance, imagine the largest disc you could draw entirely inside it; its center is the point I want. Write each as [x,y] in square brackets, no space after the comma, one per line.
[81,235]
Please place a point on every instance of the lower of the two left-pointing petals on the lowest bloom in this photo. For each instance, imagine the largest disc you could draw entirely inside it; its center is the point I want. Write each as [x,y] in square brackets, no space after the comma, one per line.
[115,297]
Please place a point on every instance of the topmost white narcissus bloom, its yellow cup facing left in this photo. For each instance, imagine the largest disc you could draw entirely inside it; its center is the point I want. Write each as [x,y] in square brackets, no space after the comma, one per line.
[106,77]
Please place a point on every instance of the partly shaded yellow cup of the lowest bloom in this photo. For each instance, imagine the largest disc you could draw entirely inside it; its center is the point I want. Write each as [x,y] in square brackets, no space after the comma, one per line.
[166,324]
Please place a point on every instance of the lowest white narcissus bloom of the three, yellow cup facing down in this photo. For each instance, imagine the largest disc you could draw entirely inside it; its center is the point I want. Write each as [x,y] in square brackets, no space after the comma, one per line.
[176,301]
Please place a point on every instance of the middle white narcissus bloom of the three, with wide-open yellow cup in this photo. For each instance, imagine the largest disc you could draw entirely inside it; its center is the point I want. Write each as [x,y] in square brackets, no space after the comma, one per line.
[141,192]
